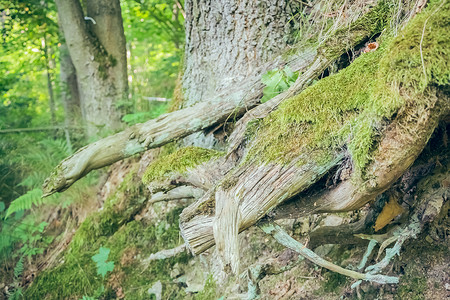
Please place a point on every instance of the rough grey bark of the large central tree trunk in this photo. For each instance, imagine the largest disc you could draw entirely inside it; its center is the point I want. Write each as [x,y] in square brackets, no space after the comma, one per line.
[227,41]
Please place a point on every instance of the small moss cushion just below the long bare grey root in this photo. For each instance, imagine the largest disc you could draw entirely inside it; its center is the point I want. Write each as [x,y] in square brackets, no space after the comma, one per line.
[178,162]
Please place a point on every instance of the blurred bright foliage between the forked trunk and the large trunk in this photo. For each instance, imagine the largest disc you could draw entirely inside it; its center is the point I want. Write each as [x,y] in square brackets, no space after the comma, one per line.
[155,35]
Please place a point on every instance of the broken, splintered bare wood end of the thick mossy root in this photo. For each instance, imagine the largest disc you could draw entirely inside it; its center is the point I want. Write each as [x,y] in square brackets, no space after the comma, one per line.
[256,188]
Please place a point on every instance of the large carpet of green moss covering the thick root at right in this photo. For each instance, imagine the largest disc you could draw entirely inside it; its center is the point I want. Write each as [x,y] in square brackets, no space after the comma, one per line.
[350,108]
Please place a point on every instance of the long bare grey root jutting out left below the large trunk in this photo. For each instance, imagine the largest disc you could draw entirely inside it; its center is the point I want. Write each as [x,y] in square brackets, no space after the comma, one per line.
[166,128]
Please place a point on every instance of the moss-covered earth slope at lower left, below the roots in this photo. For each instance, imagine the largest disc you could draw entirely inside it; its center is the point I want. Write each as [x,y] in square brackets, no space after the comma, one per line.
[129,240]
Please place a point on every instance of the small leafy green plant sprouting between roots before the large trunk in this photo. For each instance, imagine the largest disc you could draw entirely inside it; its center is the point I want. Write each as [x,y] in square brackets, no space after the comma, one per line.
[277,81]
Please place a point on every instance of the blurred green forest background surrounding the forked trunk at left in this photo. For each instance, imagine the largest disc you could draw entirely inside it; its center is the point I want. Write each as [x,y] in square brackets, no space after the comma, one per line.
[41,120]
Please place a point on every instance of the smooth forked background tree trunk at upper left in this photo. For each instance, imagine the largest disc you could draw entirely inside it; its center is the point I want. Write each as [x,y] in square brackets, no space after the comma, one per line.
[97,48]
